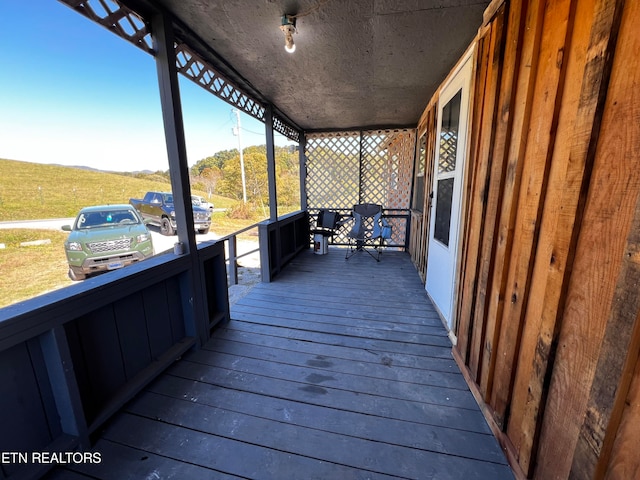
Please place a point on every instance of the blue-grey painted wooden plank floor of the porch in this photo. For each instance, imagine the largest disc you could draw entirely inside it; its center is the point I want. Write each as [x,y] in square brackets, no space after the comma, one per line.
[336,370]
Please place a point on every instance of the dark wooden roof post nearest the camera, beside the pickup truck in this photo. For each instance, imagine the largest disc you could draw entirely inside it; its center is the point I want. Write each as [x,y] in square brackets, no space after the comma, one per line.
[191,283]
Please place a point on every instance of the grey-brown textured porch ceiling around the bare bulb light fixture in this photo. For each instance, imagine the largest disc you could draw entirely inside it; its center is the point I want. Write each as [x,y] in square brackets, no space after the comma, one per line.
[358,63]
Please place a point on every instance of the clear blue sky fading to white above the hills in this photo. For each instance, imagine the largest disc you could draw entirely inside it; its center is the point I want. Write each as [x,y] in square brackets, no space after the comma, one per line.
[73,93]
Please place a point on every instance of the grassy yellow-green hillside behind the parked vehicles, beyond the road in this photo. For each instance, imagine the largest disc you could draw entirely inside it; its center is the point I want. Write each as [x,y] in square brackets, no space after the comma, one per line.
[31,191]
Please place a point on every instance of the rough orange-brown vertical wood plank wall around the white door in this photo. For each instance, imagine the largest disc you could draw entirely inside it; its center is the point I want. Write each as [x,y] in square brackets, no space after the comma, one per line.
[548,304]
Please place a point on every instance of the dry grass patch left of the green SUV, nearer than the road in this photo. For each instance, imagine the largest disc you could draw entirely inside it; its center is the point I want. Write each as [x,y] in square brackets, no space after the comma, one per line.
[31,270]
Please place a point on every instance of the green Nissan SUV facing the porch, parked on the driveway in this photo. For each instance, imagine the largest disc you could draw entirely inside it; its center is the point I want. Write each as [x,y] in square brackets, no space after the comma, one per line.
[106,237]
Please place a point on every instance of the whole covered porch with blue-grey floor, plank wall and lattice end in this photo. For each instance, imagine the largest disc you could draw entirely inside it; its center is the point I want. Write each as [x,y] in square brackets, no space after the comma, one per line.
[327,369]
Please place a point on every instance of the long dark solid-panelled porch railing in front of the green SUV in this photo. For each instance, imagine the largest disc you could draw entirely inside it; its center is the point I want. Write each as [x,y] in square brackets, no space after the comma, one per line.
[71,358]
